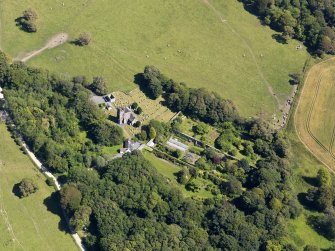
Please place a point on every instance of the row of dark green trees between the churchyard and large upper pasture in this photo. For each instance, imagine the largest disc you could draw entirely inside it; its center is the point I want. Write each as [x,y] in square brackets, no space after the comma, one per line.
[197,103]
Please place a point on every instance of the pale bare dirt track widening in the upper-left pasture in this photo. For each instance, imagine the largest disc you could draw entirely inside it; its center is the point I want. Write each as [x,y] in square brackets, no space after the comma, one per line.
[53,42]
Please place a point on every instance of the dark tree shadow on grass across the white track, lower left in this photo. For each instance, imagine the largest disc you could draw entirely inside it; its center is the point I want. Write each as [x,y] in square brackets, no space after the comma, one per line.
[53,206]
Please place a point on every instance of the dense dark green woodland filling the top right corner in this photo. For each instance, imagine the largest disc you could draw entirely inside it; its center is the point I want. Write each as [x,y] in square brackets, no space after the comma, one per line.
[309,21]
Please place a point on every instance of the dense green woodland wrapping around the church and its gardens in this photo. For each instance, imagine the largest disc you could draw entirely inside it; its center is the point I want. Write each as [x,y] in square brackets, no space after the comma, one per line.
[124,204]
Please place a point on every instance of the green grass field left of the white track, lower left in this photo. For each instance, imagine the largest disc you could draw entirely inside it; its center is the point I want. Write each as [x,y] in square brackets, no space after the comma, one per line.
[27,224]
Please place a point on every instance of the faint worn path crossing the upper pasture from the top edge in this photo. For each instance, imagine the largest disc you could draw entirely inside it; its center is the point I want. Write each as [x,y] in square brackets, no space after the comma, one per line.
[259,70]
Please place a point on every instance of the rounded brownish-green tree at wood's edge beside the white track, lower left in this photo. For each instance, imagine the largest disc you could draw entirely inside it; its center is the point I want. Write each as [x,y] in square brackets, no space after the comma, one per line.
[70,197]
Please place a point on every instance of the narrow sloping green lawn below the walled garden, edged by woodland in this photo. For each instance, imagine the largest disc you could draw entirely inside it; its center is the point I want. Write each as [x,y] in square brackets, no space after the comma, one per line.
[169,170]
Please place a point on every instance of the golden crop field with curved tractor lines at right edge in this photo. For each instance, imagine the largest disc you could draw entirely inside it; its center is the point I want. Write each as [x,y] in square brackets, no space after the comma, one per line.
[314,119]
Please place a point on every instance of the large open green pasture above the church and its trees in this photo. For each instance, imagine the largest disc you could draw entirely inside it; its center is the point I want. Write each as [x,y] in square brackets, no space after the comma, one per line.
[205,43]
